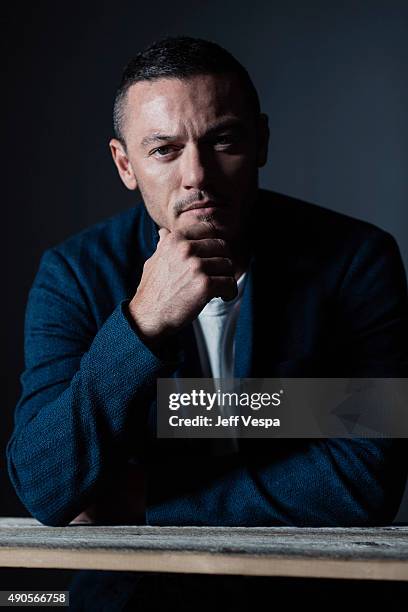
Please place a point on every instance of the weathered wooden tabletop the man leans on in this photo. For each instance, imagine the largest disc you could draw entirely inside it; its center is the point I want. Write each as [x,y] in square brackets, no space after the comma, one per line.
[379,553]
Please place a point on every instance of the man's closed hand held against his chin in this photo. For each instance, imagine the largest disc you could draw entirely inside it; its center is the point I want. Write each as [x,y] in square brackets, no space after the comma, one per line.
[185,272]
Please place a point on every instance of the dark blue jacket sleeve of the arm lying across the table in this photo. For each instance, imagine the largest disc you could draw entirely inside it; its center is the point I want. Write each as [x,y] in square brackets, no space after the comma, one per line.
[321,482]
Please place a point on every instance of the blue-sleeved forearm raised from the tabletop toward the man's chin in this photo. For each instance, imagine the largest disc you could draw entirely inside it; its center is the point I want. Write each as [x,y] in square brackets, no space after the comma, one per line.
[60,457]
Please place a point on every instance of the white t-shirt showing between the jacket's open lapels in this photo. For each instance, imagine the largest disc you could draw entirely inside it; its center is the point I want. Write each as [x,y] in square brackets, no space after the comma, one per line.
[214,330]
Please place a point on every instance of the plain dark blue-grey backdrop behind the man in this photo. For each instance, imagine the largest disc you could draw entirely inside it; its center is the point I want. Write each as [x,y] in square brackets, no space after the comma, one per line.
[330,75]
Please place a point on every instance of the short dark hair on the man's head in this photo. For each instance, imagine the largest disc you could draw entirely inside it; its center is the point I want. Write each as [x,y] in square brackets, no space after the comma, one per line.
[179,57]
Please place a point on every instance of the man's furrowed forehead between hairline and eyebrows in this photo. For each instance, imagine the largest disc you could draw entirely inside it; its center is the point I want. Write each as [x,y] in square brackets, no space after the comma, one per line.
[174,104]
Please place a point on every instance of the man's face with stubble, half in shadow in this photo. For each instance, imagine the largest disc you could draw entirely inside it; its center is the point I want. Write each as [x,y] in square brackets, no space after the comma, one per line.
[192,142]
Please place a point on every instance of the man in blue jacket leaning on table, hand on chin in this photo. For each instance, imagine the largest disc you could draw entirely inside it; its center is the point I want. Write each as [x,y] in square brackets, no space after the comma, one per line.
[116,307]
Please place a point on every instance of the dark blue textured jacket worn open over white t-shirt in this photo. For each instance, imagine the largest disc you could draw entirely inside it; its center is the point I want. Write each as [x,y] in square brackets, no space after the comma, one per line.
[326,296]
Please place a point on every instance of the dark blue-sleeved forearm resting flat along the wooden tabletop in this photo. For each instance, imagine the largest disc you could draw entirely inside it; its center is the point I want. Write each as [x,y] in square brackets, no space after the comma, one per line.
[318,483]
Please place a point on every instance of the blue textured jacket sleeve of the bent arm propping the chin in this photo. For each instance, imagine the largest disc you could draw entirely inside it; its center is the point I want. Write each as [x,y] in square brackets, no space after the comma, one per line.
[84,396]
